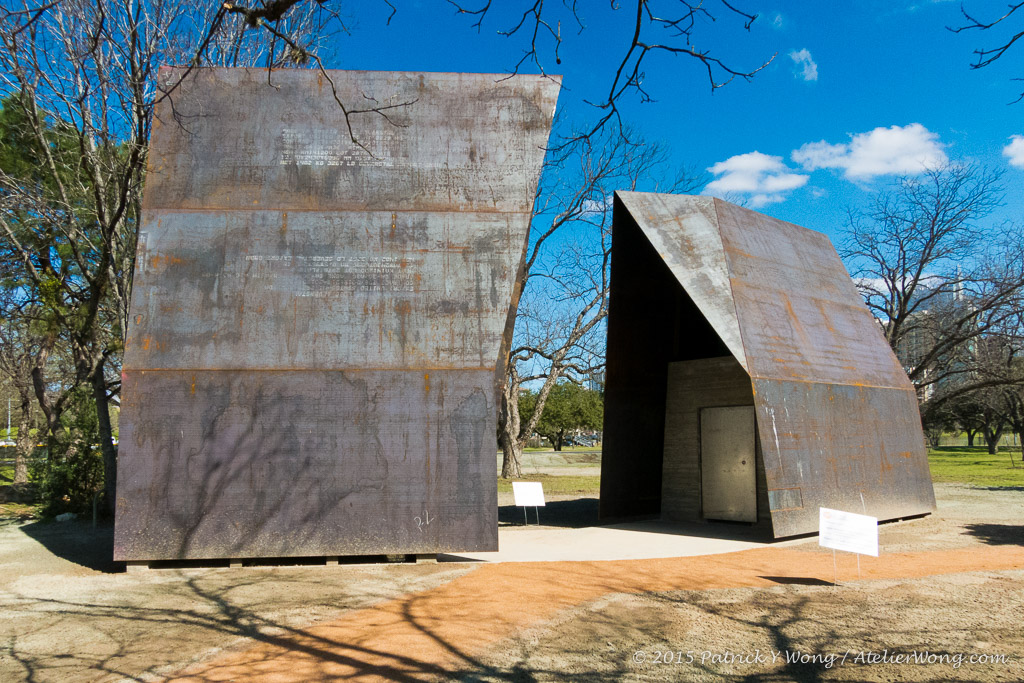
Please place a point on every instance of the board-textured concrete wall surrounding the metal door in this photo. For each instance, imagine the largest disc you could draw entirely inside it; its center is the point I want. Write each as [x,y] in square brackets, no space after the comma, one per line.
[693,386]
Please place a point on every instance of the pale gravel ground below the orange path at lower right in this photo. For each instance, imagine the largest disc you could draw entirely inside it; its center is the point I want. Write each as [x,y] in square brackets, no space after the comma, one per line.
[789,633]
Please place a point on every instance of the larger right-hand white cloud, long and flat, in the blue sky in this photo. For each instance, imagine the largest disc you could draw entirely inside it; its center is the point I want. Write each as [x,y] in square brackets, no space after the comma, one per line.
[898,150]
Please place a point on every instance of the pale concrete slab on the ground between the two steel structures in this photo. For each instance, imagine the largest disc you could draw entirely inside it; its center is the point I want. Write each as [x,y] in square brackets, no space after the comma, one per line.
[632,541]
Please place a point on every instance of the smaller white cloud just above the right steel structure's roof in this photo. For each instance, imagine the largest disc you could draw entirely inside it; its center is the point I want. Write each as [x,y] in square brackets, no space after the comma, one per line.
[763,179]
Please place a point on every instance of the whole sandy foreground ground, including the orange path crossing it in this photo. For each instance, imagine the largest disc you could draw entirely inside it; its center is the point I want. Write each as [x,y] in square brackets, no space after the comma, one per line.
[946,587]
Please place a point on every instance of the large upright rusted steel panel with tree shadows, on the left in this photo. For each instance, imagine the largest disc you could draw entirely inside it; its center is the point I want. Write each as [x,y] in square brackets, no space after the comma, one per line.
[317,329]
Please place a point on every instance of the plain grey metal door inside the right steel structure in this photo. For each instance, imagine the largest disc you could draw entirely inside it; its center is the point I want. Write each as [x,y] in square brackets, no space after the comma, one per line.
[729,481]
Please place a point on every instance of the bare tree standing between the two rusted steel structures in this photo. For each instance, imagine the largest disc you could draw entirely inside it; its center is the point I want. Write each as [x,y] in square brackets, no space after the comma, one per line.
[563,291]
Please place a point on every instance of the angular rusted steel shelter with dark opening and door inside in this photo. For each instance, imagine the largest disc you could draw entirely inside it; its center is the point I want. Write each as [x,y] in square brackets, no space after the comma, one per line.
[714,306]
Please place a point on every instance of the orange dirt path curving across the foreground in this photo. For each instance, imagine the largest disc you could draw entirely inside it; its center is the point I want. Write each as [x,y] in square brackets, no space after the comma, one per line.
[441,631]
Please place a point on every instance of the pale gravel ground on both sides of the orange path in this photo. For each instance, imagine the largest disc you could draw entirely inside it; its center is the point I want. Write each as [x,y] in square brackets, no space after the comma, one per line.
[69,615]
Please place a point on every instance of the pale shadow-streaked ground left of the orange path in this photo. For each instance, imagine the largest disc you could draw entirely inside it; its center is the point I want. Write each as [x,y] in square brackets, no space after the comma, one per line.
[72,615]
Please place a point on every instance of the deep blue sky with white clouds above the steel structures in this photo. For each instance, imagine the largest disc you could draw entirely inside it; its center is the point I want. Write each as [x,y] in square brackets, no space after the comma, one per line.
[856,95]
